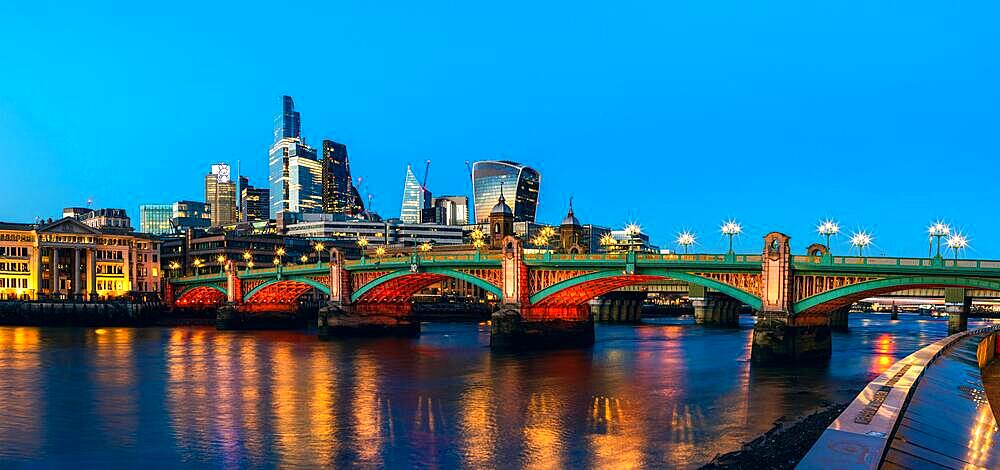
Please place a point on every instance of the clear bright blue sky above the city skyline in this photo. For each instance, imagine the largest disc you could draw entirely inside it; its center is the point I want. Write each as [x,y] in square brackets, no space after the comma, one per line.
[676,115]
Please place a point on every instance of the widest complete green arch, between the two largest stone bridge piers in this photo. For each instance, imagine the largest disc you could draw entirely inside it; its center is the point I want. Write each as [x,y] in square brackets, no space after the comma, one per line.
[598,283]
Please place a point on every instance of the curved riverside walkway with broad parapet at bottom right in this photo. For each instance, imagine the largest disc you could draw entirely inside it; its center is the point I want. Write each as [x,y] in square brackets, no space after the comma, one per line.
[928,410]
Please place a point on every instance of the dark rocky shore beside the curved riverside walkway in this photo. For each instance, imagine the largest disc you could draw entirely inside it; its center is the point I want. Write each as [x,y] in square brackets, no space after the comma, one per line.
[783,445]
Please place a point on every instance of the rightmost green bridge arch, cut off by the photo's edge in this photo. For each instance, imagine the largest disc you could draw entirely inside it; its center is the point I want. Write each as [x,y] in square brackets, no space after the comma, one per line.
[821,304]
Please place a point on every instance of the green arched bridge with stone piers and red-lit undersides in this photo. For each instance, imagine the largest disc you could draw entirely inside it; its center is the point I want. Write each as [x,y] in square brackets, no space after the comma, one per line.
[544,297]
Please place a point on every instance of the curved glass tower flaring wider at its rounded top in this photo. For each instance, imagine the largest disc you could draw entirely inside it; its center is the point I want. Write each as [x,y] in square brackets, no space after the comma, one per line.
[520,184]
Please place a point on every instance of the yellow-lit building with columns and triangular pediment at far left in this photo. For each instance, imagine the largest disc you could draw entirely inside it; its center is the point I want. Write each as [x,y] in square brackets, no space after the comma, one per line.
[67,259]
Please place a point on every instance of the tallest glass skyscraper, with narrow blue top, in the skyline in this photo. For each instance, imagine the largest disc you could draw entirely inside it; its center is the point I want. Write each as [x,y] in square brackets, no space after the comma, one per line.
[295,175]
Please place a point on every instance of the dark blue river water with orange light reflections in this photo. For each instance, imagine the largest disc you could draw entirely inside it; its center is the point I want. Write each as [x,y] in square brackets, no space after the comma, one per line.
[665,393]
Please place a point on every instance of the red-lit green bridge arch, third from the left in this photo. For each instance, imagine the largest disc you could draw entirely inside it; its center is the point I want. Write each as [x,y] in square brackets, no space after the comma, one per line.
[405,283]
